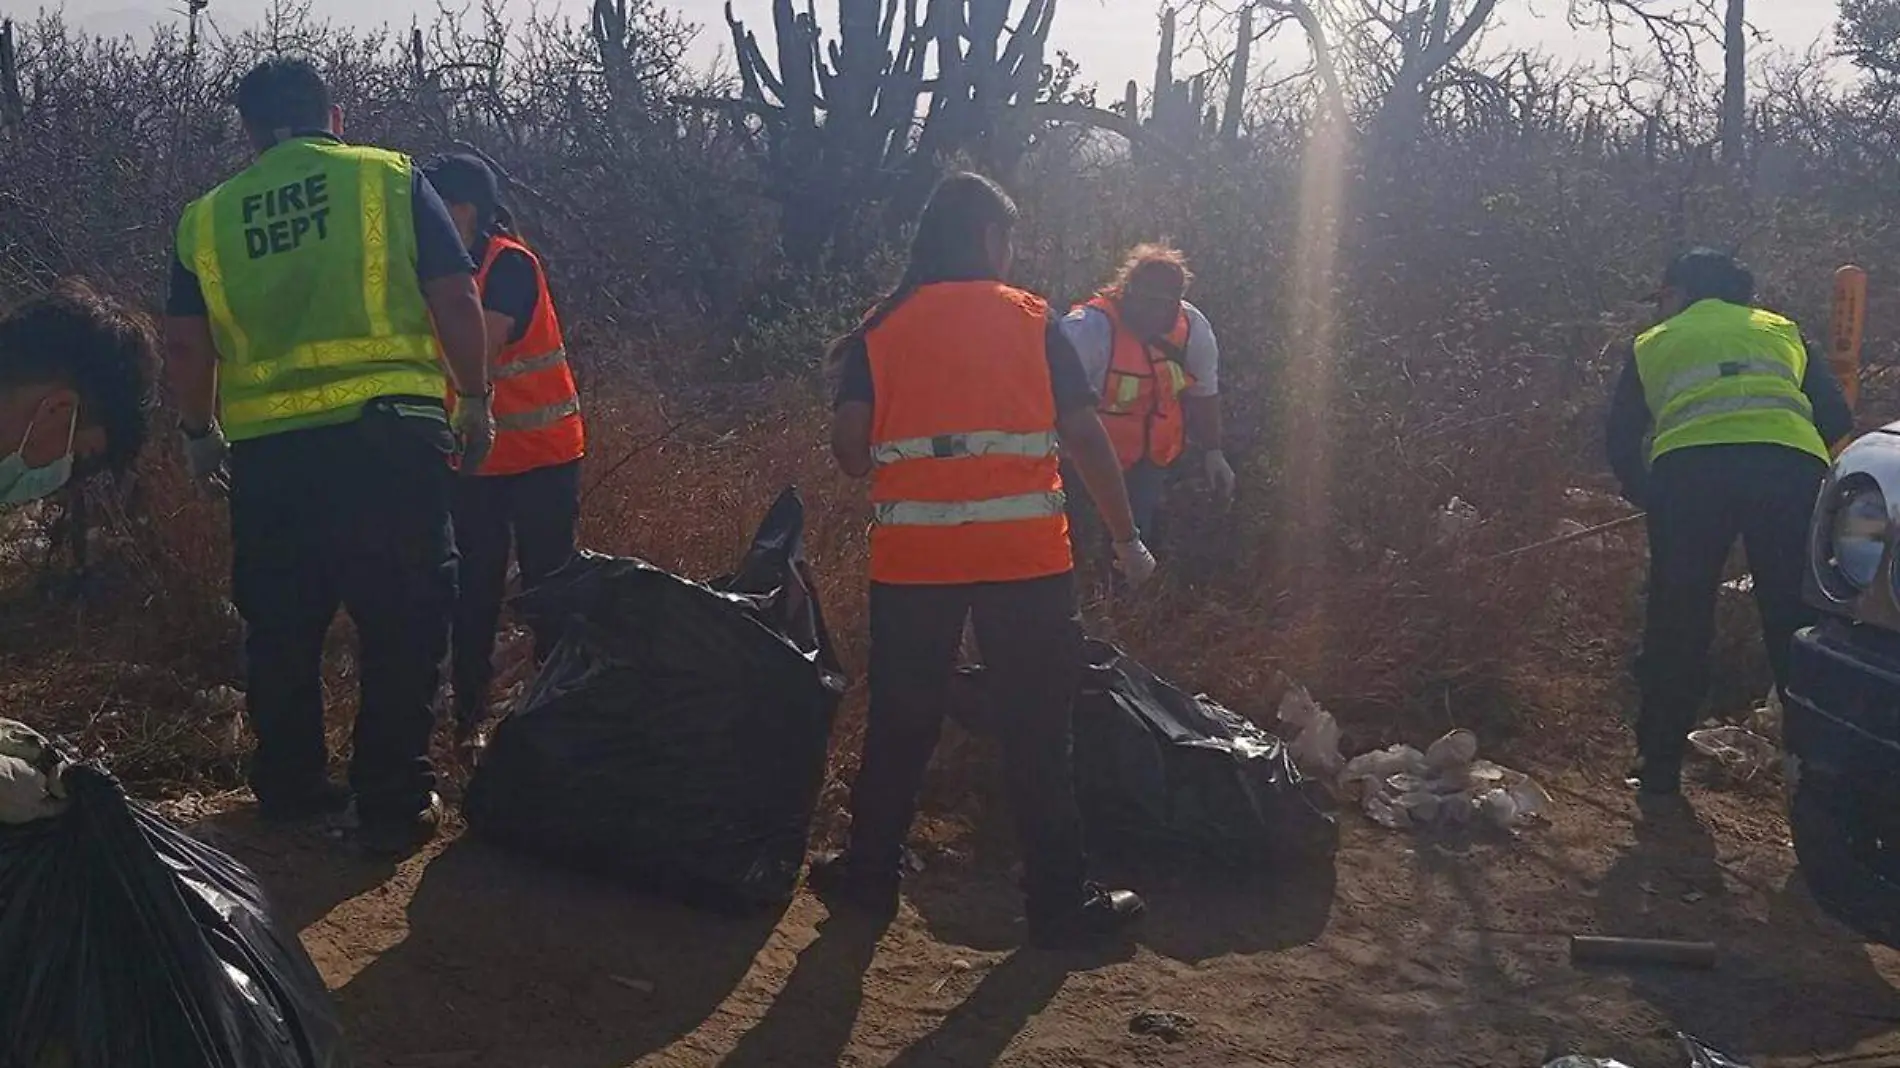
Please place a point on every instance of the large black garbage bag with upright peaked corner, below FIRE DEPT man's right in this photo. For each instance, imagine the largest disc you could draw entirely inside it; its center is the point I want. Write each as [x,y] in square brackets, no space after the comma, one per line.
[679,733]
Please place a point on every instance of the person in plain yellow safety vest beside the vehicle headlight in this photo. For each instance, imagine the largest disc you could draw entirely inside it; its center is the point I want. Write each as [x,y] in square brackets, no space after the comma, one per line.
[1720,429]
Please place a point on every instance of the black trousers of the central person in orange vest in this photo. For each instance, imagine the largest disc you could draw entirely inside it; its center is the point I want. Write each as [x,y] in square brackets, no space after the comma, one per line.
[1033,651]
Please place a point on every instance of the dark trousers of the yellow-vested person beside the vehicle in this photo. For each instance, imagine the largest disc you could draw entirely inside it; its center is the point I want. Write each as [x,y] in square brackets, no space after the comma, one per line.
[1701,501]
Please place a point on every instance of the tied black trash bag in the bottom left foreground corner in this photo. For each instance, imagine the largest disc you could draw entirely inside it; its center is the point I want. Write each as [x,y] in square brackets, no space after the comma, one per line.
[124,944]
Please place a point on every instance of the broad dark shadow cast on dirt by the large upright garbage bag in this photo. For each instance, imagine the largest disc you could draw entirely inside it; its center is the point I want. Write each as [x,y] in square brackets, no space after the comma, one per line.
[520,966]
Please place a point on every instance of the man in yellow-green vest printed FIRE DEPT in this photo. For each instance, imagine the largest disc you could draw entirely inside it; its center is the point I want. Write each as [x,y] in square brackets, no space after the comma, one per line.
[322,305]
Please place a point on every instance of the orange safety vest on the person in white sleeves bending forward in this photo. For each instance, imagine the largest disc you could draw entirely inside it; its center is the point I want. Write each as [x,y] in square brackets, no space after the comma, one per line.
[1141,396]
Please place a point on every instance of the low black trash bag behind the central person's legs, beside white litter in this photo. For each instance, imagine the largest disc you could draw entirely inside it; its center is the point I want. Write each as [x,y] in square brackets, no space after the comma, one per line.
[1162,774]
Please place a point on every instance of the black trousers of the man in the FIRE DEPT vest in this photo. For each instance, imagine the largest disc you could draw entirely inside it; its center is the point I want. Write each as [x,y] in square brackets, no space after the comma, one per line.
[351,516]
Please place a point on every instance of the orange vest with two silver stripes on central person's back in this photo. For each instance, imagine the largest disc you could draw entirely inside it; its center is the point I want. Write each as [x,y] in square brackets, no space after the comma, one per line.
[966,484]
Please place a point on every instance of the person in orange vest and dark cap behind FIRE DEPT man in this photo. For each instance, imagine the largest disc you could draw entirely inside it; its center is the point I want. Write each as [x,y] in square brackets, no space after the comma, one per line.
[527,491]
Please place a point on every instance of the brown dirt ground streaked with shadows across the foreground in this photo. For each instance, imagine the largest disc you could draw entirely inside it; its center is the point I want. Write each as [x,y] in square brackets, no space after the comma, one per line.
[1403,953]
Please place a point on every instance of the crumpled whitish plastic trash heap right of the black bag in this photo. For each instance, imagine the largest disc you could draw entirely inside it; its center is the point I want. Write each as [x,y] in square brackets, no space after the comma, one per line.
[1445,786]
